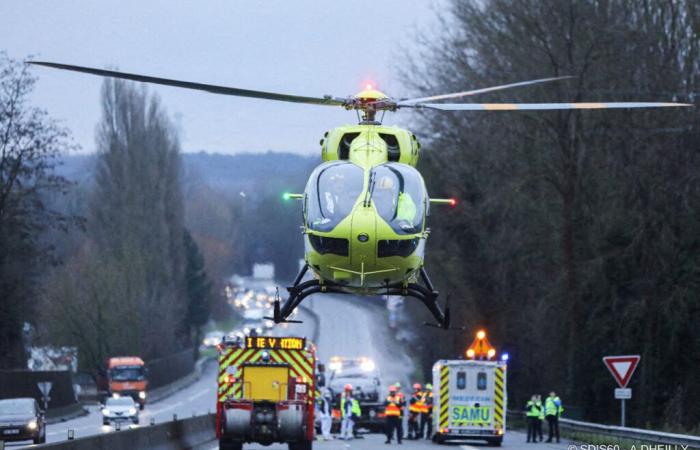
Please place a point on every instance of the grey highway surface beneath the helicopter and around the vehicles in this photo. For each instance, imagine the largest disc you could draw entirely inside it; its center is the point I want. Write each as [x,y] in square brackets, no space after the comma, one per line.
[346,328]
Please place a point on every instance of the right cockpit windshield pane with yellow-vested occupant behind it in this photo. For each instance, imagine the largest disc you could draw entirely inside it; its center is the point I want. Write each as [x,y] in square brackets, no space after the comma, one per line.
[398,194]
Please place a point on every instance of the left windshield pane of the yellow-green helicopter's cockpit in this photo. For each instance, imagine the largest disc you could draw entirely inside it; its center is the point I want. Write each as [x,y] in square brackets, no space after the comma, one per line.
[331,193]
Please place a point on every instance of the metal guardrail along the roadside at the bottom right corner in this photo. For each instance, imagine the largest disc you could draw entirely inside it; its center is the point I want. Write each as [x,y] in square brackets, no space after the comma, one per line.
[636,435]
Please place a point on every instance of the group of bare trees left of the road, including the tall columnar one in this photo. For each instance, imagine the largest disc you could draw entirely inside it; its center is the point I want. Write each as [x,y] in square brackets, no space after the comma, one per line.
[108,265]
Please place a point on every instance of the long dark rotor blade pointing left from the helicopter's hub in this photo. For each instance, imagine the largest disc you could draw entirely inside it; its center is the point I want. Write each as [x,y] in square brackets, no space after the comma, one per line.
[224,90]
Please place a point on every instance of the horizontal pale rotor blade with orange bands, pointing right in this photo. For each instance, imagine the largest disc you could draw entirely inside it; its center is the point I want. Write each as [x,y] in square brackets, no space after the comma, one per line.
[541,106]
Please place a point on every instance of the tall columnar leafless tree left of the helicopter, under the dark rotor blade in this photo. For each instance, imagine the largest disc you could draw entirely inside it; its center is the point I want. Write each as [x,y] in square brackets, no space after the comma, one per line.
[125,290]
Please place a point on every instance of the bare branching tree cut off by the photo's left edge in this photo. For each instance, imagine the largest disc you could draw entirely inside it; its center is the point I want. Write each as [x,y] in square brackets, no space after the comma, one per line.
[30,142]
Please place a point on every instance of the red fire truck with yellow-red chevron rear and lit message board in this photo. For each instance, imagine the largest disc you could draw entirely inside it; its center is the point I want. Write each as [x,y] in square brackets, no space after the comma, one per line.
[266,392]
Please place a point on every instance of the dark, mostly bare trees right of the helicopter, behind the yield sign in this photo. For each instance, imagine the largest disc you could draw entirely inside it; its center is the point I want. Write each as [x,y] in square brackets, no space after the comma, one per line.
[577,234]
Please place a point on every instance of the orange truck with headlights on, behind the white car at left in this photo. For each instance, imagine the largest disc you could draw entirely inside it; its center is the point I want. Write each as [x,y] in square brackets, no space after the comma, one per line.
[124,376]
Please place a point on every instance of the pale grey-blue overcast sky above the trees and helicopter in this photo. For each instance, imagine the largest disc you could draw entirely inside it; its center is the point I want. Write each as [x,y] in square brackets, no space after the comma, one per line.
[304,47]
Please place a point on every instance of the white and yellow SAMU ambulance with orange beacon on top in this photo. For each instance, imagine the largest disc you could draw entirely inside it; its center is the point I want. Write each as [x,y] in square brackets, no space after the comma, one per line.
[470,399]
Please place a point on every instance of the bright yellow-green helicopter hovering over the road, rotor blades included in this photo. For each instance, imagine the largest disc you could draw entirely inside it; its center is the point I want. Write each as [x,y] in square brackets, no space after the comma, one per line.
[365,206]
